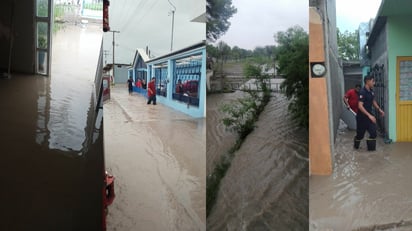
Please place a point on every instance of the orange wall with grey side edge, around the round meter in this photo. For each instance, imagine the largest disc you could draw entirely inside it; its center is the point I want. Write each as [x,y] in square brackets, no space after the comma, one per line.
[325,93]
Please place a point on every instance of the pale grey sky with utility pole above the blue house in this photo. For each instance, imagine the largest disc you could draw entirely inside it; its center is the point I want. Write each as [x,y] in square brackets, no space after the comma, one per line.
[148,23]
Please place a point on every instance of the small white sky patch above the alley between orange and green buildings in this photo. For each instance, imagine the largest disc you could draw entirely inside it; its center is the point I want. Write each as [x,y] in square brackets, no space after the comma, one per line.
[350,13]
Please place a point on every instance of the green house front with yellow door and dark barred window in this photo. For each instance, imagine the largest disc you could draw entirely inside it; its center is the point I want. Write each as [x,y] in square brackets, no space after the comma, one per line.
[389,53]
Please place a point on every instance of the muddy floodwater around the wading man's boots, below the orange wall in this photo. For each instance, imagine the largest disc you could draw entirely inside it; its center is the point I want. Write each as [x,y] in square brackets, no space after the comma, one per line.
[367,190]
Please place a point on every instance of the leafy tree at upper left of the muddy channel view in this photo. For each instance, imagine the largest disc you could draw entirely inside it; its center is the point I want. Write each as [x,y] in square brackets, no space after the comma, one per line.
[218,14]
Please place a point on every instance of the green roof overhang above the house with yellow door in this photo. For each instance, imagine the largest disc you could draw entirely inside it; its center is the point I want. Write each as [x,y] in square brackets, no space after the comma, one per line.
[388,8]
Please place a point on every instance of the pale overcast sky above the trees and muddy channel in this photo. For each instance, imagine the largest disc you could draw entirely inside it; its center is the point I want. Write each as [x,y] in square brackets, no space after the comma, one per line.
[256,22]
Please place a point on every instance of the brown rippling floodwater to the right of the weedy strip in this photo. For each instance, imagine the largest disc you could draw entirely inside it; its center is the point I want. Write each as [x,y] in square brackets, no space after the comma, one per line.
[266,186]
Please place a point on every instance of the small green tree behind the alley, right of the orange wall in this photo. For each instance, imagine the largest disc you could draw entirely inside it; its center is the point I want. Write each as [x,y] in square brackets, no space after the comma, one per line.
[348,45]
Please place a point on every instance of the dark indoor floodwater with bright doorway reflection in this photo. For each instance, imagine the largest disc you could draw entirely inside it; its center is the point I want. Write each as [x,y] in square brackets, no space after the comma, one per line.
[51,144]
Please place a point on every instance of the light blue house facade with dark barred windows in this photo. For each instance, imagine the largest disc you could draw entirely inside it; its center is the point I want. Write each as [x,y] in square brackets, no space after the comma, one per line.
[180,78]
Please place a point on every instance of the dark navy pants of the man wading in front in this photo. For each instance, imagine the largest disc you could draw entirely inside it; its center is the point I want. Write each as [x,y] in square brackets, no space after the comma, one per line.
[364,124]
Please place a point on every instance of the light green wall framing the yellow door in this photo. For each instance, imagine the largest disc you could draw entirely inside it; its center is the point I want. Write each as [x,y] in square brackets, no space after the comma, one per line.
[399,44]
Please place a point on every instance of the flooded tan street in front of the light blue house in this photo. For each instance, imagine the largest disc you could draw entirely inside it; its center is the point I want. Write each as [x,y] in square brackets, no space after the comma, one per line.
[157,155]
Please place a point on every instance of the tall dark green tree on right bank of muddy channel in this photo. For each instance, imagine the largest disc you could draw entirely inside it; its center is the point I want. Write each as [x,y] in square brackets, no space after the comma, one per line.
[292,59]
